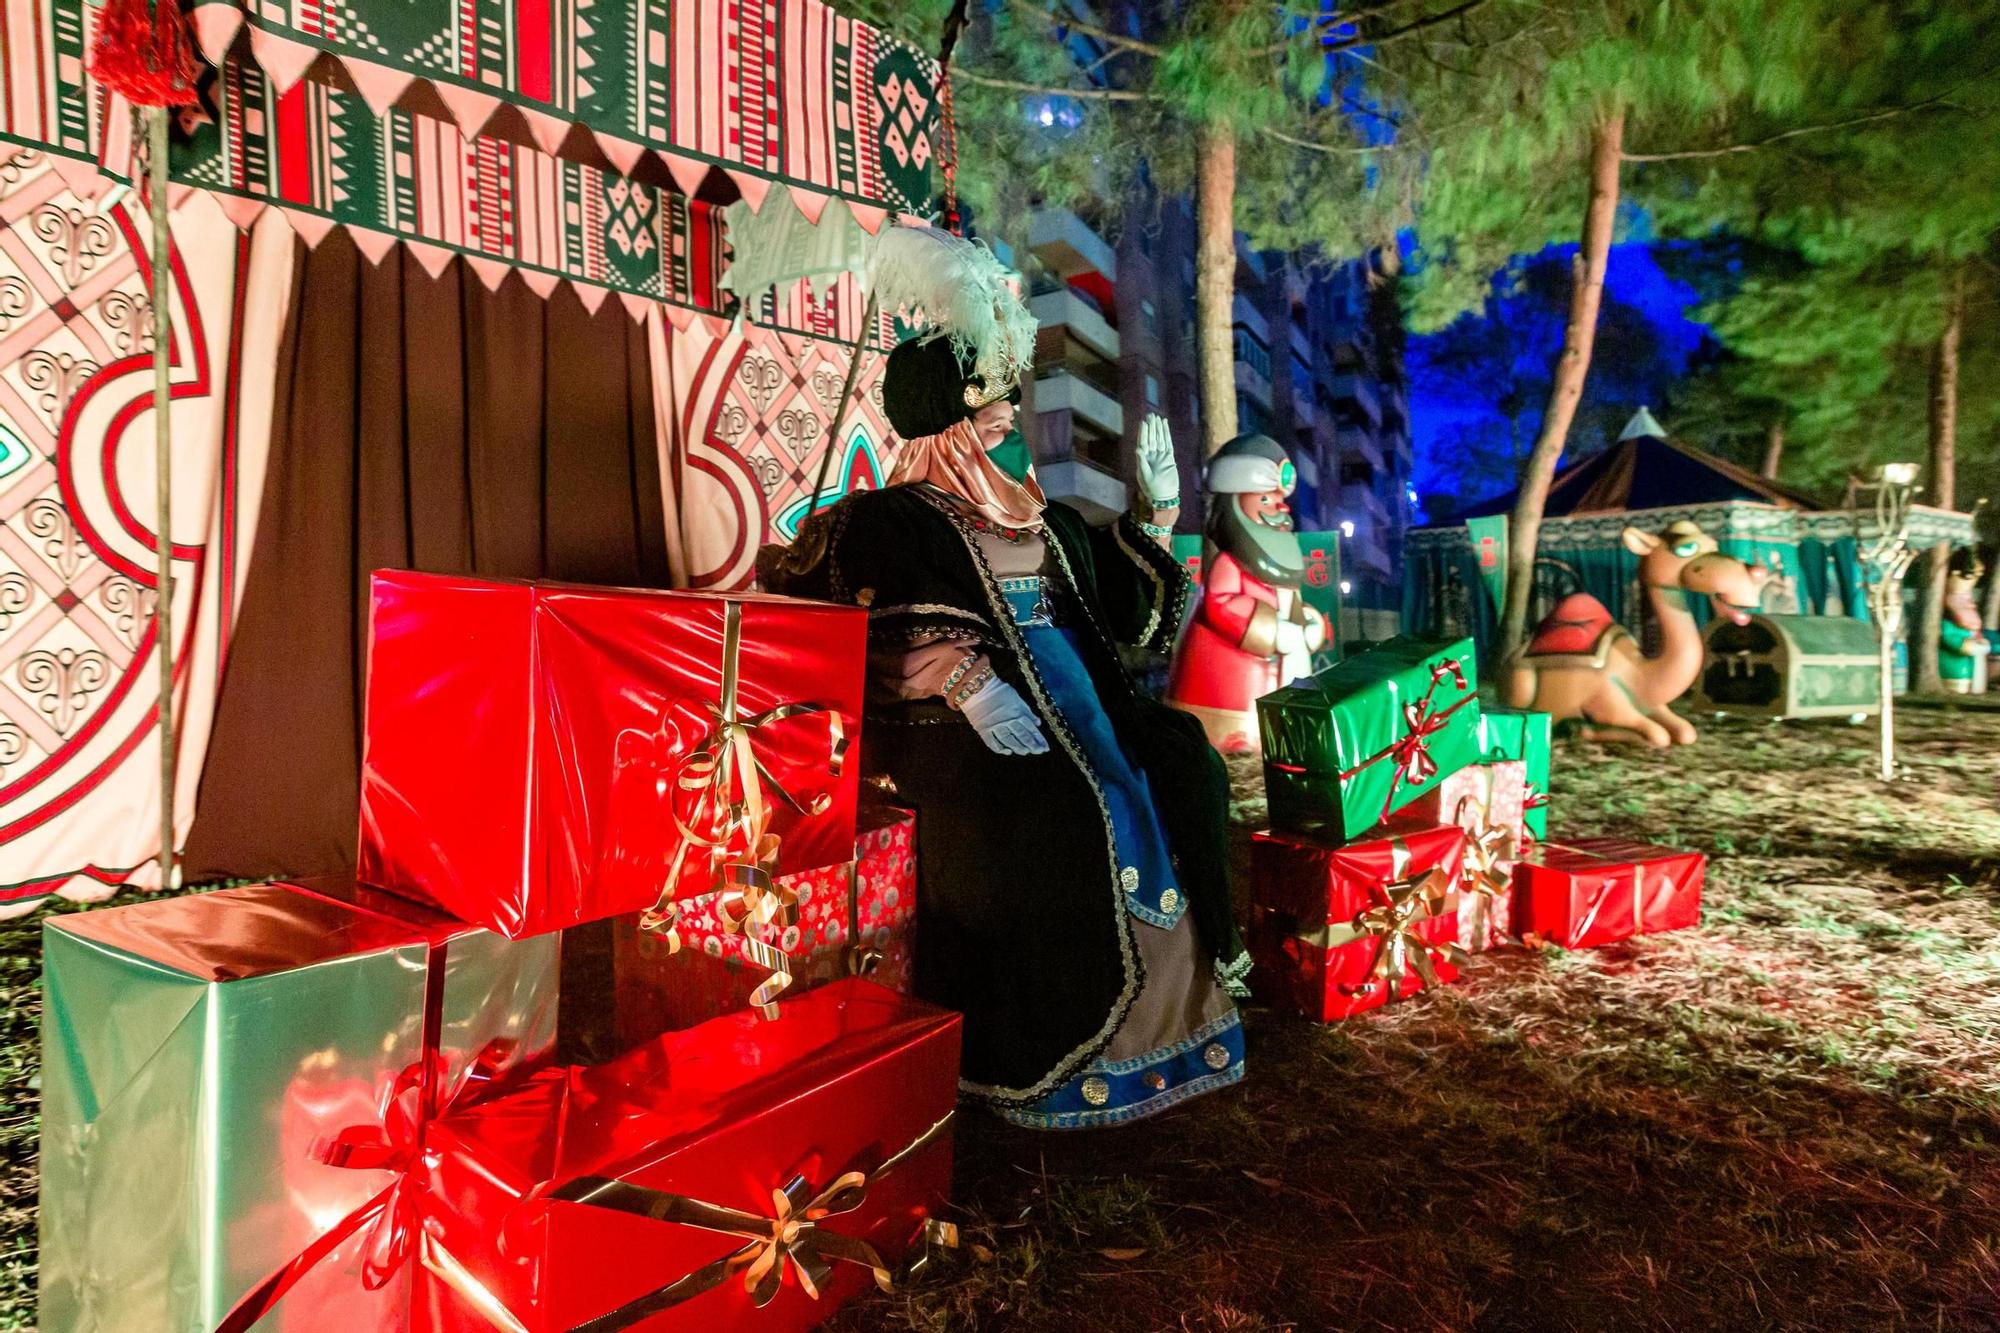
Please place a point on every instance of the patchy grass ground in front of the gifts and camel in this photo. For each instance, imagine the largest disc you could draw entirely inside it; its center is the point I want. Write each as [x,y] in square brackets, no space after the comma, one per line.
[1789,1118]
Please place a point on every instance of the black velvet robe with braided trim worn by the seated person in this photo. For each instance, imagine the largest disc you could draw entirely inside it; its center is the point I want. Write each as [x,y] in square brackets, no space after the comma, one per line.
[1023,922]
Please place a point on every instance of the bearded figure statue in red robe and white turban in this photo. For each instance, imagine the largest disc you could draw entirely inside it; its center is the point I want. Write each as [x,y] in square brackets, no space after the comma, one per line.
[1253,631]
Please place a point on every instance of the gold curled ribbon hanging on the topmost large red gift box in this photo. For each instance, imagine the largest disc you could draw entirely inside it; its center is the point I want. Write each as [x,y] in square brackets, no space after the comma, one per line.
[731,824]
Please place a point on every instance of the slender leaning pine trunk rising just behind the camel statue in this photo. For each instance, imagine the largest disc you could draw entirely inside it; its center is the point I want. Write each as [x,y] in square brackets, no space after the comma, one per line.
[1567,387]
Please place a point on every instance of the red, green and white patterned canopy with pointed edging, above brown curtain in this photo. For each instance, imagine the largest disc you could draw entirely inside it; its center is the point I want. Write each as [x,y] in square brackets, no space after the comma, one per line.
[555,141]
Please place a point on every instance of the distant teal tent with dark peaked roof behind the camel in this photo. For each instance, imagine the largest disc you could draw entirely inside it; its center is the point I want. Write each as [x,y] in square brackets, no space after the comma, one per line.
[1649,479]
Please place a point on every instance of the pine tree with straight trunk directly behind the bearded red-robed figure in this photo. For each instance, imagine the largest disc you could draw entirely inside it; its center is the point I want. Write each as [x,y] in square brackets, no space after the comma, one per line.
[1251,109]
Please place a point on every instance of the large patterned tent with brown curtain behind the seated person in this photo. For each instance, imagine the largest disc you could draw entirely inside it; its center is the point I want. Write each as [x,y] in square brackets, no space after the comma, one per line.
[395,239]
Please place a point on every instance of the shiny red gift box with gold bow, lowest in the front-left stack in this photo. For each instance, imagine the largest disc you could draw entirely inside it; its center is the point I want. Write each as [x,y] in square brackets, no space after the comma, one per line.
[543,1196]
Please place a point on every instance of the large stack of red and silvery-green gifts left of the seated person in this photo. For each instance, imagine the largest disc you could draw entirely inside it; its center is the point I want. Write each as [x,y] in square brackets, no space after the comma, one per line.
[343,1106]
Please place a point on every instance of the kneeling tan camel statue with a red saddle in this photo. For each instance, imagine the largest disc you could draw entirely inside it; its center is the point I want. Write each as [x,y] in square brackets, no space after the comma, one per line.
[1583,663]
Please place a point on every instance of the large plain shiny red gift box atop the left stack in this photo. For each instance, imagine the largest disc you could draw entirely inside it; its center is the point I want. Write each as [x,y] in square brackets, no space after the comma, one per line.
[537,754]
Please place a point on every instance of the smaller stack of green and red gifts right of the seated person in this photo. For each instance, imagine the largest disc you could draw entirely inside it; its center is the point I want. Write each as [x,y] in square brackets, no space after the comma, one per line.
[1411,828]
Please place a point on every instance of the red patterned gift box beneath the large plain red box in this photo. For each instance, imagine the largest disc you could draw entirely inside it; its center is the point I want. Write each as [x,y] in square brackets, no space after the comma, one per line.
[853,920]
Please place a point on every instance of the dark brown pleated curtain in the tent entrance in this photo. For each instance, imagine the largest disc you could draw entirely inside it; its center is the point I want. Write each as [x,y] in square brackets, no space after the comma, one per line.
[419,425]
